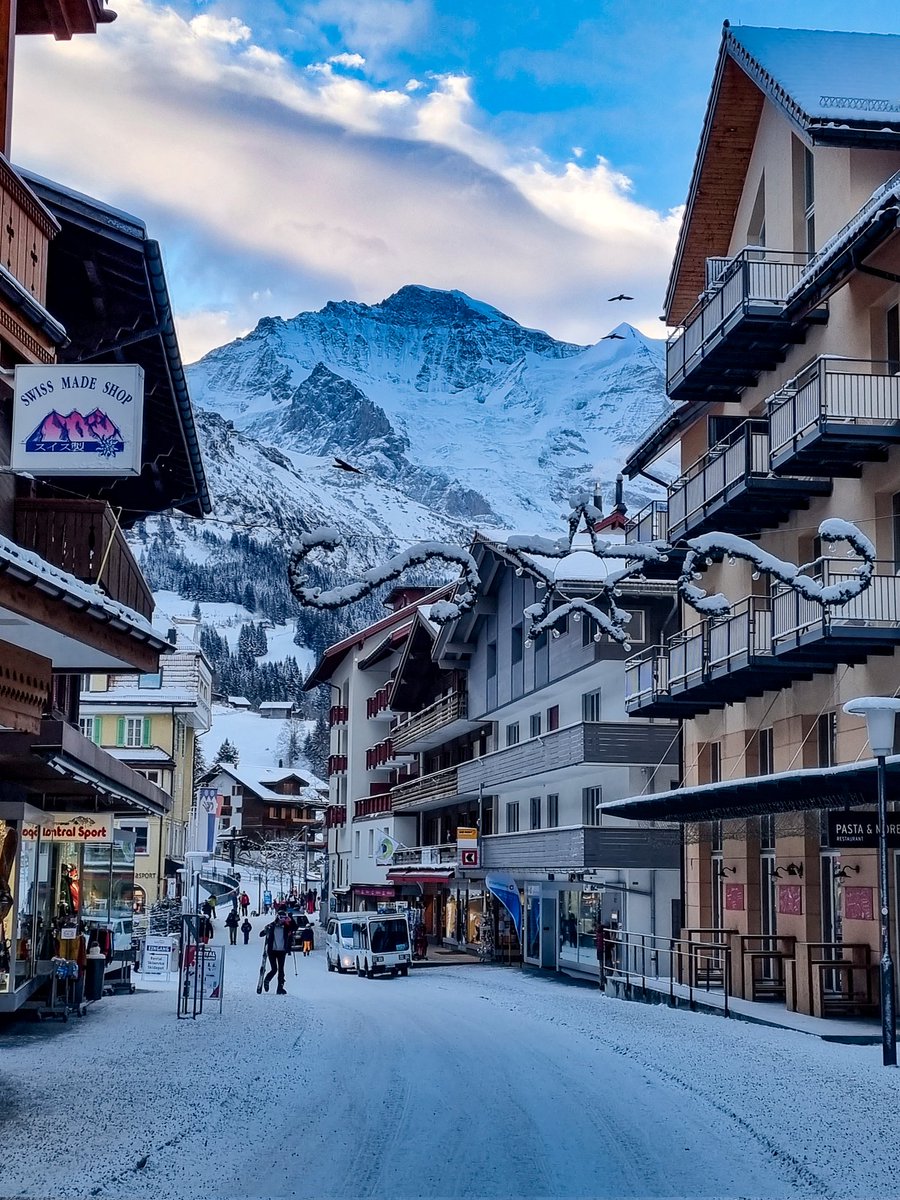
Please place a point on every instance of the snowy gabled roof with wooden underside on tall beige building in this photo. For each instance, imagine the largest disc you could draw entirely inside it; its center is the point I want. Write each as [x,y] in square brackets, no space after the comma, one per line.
[835,88]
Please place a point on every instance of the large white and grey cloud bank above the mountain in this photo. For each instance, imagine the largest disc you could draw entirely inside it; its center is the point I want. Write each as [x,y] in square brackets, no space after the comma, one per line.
[327,187]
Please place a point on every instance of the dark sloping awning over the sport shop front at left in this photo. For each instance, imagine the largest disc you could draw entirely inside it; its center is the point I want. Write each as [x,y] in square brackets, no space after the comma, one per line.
[69,772]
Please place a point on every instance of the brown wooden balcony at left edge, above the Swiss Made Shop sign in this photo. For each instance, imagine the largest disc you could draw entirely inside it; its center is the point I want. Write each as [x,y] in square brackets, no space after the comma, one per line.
[26,231]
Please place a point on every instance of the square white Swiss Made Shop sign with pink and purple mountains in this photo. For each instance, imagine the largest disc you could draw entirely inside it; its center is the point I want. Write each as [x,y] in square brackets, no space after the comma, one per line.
[79,421]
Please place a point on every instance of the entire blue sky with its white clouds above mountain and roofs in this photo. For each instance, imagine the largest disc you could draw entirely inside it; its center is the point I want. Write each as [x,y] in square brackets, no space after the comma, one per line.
[533,154]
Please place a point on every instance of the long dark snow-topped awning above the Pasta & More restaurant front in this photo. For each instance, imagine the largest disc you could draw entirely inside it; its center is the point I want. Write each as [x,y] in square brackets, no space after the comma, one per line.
[790,791]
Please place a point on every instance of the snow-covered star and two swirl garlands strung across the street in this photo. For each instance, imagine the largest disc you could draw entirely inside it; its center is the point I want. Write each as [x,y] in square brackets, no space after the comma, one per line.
[599,605]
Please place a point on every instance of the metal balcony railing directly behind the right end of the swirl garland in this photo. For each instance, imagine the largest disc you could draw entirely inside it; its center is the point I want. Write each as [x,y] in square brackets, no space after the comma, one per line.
[867,625]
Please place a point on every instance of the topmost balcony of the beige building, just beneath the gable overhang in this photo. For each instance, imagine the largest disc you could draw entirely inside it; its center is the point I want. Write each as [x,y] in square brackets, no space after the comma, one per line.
[737,328]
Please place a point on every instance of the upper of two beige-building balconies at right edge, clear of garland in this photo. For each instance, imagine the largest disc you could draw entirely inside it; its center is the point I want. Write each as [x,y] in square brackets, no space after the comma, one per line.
[835,417]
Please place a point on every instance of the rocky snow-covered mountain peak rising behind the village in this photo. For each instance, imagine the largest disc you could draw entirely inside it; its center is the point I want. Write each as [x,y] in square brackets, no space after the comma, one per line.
[452,410]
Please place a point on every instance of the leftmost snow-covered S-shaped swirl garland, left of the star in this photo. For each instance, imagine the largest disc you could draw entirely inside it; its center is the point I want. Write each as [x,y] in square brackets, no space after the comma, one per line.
[413,556]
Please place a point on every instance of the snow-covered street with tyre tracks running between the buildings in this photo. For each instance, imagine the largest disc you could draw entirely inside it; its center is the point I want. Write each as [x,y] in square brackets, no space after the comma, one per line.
[458,1082]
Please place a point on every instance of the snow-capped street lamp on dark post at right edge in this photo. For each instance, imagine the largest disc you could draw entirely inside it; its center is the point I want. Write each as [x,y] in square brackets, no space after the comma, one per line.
[880,713]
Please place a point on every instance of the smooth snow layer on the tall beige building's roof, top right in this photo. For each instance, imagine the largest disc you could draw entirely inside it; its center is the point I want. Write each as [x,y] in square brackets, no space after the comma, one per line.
[831,77]
